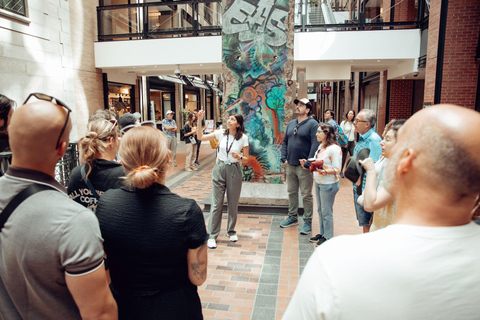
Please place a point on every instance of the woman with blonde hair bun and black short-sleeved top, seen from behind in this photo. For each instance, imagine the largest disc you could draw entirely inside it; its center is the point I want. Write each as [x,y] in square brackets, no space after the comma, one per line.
[154,239]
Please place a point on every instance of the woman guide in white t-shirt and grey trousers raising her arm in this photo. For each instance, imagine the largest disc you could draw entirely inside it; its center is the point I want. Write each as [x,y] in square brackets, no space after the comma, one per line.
[227,174]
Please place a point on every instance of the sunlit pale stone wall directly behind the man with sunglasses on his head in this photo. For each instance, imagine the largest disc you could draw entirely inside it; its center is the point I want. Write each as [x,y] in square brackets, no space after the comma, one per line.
[36,55]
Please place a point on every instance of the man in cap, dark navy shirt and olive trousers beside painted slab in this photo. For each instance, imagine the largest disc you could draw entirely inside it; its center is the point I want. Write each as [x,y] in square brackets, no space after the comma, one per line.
[299,144]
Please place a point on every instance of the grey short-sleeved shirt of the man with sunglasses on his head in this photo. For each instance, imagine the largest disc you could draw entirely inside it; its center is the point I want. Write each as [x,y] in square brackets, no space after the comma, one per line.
[47,236]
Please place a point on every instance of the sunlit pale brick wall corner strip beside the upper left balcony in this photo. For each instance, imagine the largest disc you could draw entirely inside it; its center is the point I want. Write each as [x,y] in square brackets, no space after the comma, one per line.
[88,82]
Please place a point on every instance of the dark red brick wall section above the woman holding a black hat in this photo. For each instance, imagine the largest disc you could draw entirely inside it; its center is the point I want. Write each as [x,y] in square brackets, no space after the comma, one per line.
[401,97]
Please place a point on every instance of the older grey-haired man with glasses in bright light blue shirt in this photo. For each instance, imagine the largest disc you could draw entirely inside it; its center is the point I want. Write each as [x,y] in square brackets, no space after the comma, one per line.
[364,125]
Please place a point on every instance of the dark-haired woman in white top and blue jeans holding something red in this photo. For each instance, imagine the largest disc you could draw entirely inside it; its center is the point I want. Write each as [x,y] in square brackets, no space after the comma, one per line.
[326,180]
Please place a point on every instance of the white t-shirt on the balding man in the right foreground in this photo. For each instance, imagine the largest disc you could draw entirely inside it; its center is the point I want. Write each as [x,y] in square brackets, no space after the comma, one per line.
[399,272]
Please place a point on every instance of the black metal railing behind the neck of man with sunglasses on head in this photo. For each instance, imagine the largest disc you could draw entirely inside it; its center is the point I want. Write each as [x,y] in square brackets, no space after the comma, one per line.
[63,168]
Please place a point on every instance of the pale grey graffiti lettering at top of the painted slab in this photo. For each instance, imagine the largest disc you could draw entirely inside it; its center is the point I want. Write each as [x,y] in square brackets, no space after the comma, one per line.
[254,21]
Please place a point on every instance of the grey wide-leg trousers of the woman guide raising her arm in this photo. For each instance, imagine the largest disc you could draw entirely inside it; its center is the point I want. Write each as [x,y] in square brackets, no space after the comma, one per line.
[225,177]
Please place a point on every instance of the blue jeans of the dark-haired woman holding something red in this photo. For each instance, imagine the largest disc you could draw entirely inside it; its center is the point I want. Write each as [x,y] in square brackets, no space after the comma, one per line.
[325,194]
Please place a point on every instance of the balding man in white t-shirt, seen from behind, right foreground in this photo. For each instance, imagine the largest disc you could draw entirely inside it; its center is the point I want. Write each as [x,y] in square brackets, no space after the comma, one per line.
[424,266]
